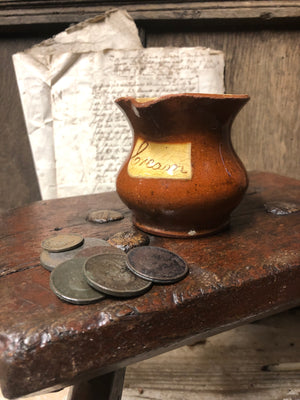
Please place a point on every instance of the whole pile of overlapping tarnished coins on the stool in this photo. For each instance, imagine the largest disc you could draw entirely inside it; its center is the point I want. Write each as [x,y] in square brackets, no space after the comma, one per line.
[85,271]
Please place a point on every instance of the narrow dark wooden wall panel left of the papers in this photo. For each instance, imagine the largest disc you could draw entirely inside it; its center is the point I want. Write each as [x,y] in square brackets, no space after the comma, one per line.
[18,181]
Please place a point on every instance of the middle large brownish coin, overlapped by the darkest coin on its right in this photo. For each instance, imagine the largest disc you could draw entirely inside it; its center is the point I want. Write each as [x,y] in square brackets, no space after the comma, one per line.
[109,274]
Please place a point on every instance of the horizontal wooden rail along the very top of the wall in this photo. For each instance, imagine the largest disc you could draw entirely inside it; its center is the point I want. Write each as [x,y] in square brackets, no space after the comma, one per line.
[46,12]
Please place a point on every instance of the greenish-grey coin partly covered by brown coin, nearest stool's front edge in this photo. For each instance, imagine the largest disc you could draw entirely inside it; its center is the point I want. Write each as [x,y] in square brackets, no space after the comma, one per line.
[68,282]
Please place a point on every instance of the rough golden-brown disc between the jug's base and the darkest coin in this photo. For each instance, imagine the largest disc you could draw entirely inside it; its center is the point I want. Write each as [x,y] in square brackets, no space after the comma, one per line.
[129,239]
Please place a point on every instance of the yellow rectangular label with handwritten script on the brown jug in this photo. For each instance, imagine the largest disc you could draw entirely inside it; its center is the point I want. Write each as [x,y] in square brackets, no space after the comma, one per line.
[160,160]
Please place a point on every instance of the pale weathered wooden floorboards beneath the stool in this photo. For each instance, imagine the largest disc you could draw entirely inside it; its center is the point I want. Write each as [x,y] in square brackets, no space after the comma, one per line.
[226,366]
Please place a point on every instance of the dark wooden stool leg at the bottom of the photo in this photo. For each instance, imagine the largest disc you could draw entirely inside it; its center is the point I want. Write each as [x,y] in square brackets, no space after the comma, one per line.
[105,387]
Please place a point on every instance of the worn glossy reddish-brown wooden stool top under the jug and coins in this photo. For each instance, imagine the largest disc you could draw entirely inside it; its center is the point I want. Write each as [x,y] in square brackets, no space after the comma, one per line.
[242,274]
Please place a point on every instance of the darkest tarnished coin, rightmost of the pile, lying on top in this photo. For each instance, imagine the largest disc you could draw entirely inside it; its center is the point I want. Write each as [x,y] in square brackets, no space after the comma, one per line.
[156,264]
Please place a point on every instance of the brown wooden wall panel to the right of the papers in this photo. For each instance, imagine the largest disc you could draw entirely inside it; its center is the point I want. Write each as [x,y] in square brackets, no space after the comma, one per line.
[265,65]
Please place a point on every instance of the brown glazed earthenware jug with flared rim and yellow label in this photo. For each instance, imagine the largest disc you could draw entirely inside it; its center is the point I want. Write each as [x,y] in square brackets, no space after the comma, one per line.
[182,177]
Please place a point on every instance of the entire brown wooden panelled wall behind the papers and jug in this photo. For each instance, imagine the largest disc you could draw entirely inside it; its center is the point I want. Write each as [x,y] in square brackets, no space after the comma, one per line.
[261,45]
